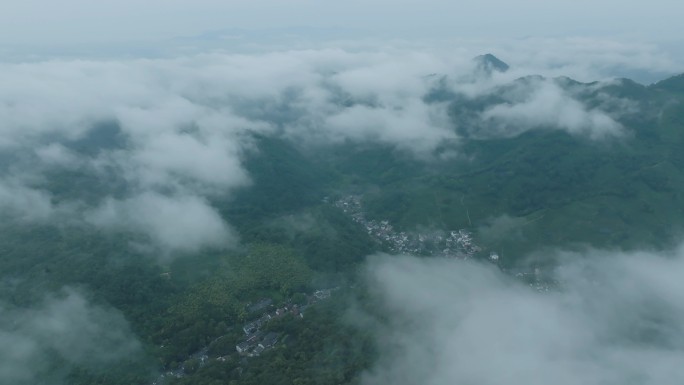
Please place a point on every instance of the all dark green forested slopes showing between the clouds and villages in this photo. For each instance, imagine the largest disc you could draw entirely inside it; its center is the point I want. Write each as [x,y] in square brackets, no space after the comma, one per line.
[542,188]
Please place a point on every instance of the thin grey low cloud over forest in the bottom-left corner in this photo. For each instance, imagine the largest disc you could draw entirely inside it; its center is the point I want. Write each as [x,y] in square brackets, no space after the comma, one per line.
[44,341]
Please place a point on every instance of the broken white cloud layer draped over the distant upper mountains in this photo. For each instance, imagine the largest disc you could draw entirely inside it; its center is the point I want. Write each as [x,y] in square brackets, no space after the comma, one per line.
[177,130]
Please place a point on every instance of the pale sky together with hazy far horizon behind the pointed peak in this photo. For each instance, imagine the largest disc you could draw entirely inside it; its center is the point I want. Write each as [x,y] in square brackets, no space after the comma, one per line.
[640,42]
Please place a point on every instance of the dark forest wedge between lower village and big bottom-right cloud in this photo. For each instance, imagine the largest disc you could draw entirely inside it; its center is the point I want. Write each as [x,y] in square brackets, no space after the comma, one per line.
[318,349]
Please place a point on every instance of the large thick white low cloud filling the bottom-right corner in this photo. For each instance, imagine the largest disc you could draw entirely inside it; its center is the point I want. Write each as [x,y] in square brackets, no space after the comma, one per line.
[606,318]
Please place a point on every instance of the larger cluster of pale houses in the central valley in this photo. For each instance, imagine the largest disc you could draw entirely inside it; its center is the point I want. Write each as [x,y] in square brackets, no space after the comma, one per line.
[456,244]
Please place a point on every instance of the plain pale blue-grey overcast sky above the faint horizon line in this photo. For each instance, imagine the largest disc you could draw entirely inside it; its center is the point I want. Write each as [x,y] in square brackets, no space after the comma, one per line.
[80,21]
